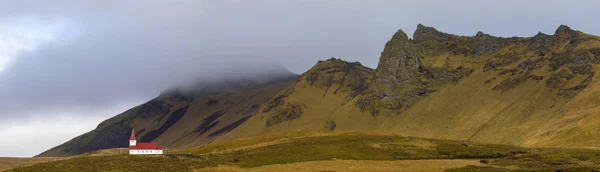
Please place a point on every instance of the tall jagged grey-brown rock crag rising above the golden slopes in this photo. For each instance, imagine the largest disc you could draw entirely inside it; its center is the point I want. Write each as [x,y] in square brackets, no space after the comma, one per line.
[401,79]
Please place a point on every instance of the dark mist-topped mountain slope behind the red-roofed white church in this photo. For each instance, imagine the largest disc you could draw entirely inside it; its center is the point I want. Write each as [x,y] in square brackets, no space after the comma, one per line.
[182,117]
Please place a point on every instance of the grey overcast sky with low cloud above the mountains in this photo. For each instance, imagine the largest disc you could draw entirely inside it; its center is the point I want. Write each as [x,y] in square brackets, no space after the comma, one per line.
[66,65]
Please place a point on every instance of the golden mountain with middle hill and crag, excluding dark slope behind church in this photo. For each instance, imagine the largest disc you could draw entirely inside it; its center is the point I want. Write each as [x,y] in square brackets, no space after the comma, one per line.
[534,91]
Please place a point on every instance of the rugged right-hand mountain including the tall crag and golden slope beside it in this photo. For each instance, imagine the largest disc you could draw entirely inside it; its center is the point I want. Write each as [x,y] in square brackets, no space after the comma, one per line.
[485,88]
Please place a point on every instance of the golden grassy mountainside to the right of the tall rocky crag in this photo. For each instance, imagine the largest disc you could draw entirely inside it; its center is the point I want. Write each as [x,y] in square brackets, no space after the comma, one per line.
[517,94]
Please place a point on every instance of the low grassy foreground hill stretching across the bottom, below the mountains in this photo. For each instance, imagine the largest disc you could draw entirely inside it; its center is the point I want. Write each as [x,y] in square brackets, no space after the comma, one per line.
[329,147]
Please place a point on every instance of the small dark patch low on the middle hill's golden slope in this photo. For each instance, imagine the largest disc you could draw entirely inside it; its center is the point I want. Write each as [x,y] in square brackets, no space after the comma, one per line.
[291,111]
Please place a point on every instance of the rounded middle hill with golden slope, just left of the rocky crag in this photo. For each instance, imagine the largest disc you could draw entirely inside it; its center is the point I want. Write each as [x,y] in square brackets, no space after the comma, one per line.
[312,102]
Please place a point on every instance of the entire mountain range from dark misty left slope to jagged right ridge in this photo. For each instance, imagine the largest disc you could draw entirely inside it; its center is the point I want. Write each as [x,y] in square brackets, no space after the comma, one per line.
[526,91]
